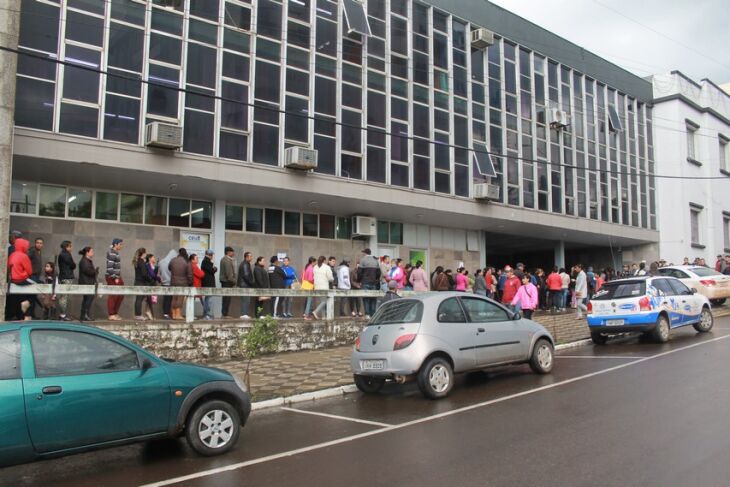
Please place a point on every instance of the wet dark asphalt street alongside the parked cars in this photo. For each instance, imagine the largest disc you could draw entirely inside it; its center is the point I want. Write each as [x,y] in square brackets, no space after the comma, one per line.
[628,413]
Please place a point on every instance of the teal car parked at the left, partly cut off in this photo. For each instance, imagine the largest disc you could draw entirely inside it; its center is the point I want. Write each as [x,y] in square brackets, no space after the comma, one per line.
[66,388]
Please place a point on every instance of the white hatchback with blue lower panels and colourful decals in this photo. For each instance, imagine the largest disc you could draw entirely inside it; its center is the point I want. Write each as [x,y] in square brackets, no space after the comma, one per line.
[651,305]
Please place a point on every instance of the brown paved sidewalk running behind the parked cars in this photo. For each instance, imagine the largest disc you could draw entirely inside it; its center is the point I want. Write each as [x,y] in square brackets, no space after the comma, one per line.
[289,373]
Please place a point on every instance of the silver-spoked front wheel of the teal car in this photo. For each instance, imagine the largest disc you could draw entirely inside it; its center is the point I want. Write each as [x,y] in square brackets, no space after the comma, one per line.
[213,428]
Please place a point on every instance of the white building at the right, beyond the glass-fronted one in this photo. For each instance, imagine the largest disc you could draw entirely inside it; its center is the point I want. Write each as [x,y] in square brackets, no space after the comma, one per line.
[692,129]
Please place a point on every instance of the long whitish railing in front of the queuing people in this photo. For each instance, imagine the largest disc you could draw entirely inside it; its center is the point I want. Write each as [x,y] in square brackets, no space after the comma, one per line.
[193,292]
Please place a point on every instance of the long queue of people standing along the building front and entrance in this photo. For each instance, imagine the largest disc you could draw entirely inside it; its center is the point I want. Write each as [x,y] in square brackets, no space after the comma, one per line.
[555,290]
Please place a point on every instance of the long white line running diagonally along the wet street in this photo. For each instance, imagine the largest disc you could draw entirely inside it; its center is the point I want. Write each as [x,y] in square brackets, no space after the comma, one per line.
[348,439]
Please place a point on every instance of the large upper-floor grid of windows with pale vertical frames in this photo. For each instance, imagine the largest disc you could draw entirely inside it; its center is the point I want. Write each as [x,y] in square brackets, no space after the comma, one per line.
[404,106]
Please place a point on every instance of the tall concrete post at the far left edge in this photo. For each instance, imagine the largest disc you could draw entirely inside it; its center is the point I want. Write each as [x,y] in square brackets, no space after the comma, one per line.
[9,31]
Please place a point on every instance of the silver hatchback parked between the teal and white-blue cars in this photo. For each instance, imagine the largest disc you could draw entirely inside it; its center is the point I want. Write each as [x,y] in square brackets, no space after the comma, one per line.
[431,336]
